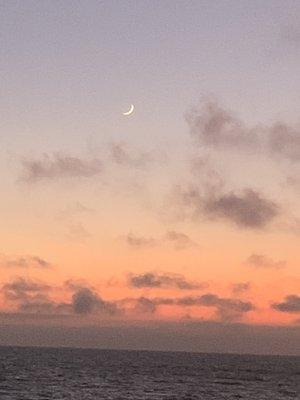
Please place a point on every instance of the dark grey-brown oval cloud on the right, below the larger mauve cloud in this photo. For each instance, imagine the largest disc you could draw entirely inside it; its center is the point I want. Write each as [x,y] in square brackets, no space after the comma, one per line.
[248,209]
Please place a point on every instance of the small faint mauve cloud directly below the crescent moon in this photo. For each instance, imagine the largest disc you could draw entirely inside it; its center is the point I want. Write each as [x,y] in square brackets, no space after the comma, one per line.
[121,156]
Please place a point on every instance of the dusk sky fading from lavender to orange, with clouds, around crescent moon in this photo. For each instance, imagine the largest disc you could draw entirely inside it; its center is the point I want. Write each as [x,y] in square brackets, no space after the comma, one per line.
[176,227]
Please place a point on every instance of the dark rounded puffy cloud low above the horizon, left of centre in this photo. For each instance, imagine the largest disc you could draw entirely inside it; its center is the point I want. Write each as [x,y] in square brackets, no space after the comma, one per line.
[86,301]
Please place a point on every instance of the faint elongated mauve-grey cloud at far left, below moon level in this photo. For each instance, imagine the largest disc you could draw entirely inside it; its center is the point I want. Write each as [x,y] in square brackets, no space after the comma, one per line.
[59,166]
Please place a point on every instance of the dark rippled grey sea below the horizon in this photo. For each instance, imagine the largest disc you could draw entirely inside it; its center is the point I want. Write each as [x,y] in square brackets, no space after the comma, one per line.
[35,373]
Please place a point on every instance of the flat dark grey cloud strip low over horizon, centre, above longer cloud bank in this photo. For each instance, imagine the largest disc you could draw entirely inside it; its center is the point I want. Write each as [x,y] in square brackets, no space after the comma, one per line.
[154,280]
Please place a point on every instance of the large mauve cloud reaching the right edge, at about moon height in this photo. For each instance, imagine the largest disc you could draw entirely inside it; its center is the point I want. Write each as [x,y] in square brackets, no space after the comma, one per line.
[215,127]
